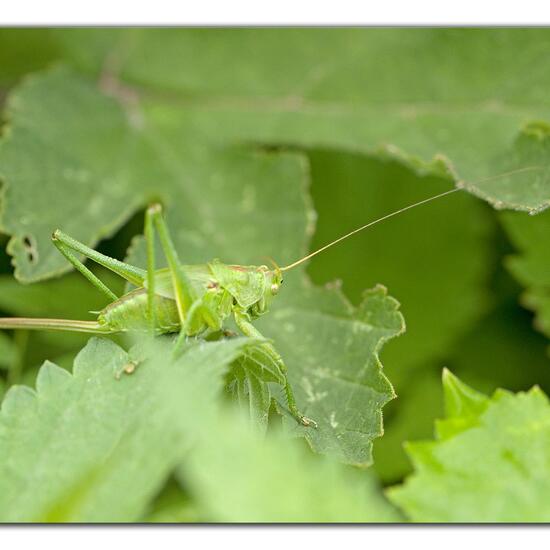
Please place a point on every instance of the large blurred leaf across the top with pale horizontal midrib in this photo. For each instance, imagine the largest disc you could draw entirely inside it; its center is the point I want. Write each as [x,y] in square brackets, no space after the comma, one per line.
[460,101]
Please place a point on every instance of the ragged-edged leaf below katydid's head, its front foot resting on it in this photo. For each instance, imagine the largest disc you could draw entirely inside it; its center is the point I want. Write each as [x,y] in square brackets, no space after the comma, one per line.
[331,350]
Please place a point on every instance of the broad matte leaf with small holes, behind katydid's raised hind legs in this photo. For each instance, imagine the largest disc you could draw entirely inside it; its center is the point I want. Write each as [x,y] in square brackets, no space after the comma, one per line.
[65,134]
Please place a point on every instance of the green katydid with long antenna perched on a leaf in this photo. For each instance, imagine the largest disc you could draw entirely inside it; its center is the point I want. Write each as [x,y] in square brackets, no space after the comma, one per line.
[192,300]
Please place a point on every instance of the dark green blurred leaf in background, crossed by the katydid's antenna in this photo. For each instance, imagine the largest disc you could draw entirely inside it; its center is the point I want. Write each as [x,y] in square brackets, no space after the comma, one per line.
[453,261]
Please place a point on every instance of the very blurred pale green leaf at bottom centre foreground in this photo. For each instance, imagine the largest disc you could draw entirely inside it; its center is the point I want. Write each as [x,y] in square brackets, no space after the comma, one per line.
[243,480]
